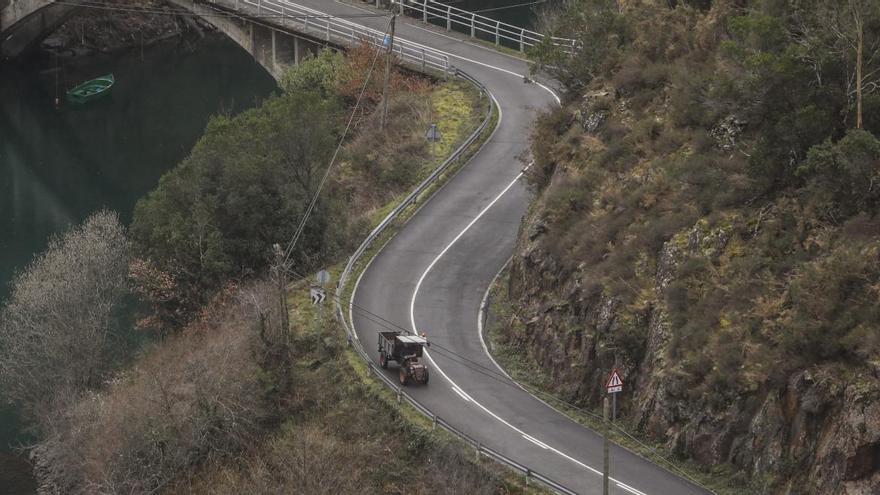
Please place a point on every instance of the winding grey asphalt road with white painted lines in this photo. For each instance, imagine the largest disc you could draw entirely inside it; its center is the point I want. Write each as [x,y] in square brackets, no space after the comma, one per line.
[435,272]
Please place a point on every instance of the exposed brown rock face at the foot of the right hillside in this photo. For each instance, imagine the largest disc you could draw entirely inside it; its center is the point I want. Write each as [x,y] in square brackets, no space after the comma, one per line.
[816,430]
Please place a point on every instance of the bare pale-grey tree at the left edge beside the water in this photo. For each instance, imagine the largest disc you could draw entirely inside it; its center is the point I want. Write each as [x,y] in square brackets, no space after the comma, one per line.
[57,325]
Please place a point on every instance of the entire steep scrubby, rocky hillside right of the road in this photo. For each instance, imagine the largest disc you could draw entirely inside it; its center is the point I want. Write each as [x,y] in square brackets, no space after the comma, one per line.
[706,221]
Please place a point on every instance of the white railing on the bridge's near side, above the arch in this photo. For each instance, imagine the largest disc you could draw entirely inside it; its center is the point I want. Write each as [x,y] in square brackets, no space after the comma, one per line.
[343,32]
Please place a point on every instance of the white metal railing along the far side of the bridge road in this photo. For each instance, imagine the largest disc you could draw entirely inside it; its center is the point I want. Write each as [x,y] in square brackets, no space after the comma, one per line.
[477,24]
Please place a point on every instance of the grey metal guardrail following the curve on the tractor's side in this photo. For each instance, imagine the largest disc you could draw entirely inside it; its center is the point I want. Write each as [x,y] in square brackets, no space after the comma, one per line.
[375,370]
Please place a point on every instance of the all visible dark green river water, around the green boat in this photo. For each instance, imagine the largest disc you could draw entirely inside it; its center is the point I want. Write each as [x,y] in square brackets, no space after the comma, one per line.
[58,165]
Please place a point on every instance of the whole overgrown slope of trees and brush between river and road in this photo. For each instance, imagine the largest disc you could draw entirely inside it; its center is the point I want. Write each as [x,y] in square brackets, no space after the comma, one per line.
[232,396]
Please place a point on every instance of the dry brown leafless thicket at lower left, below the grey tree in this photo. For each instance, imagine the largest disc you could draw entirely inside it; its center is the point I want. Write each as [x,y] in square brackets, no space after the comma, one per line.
[198,396]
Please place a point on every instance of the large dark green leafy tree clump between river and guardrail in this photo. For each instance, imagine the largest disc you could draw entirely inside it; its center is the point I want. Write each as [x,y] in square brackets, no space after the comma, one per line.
[244,188]
